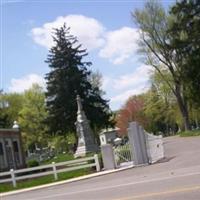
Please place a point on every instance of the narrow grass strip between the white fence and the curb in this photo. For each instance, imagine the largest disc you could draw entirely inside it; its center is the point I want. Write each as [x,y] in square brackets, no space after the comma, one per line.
[5,187]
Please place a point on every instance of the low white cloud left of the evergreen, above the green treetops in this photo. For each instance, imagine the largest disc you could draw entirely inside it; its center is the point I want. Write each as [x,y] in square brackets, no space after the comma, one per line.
[24,83]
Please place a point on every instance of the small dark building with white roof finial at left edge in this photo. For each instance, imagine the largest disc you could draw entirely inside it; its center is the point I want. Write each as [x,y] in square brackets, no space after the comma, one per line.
[11,151]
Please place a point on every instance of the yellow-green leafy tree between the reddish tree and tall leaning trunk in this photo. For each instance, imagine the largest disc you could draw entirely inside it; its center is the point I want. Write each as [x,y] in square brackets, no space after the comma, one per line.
[161,107]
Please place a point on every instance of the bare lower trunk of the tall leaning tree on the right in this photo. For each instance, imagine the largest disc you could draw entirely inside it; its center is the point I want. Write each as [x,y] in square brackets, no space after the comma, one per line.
[183,107]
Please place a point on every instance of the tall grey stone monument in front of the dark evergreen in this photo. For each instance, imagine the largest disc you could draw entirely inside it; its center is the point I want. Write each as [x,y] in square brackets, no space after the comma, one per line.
[86,142]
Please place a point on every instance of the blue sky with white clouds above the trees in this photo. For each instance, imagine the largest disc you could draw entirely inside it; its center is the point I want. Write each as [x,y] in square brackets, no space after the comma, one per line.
[104,27]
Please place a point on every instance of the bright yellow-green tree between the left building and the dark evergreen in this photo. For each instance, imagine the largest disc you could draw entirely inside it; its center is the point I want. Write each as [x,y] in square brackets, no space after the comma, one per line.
[32,117]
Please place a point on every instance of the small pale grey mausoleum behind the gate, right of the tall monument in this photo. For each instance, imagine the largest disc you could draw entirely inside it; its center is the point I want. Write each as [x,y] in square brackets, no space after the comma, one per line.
[108,136]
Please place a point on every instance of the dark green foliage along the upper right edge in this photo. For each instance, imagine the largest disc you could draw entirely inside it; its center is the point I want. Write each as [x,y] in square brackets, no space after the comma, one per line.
[185,41]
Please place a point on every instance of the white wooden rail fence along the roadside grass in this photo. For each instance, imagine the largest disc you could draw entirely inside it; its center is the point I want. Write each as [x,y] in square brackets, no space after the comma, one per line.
[53,168]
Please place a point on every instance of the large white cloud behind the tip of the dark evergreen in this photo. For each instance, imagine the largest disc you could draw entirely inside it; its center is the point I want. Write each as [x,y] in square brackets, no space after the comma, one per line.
[88,31]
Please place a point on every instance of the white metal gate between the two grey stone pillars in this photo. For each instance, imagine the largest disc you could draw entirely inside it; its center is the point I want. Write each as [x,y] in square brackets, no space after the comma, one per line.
[123,155]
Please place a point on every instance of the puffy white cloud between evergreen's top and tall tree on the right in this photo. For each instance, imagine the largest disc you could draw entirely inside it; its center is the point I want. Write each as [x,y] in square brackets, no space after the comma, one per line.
[120,45]
